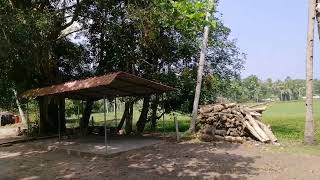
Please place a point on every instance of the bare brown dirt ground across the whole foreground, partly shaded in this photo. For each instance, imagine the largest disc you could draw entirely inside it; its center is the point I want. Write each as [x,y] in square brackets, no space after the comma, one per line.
[164,161]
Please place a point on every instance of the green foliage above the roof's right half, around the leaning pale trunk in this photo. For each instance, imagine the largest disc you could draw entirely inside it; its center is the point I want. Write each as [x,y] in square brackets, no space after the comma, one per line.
[160,40]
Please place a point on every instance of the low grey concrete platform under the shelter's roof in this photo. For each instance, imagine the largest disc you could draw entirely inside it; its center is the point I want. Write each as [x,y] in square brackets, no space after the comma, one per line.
[94,145]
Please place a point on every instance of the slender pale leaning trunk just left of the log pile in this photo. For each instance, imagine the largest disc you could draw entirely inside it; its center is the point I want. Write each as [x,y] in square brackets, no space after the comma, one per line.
[200,71]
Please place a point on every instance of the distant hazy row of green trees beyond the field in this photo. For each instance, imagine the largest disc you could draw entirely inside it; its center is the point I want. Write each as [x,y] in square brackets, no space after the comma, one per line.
[255,90]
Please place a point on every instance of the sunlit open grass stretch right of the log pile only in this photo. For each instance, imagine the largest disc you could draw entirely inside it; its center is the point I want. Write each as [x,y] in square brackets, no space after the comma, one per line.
[287,121]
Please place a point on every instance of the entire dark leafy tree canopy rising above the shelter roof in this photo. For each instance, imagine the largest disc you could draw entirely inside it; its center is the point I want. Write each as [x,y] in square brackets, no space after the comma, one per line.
[52,41]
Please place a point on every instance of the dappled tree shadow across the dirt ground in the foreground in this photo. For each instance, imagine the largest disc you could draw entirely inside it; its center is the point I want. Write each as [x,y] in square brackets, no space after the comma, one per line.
[163,161]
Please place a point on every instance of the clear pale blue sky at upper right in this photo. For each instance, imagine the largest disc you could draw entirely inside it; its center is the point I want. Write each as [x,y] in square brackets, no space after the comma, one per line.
[273,35]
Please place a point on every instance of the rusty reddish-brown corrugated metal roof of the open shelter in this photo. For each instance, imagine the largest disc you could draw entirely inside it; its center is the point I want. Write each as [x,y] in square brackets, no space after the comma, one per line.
[119,84]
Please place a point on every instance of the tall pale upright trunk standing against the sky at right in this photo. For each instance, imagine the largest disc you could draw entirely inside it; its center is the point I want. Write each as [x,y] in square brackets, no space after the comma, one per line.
[309,124]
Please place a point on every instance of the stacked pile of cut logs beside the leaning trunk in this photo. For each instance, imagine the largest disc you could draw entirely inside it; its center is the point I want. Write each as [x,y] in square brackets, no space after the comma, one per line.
[233,122]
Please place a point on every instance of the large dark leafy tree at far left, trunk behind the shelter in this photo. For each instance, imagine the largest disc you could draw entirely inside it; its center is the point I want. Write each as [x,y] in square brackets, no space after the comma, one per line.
[35,51]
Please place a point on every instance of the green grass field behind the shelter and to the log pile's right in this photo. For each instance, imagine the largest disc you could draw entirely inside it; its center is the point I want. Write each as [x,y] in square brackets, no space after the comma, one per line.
[286,119]
